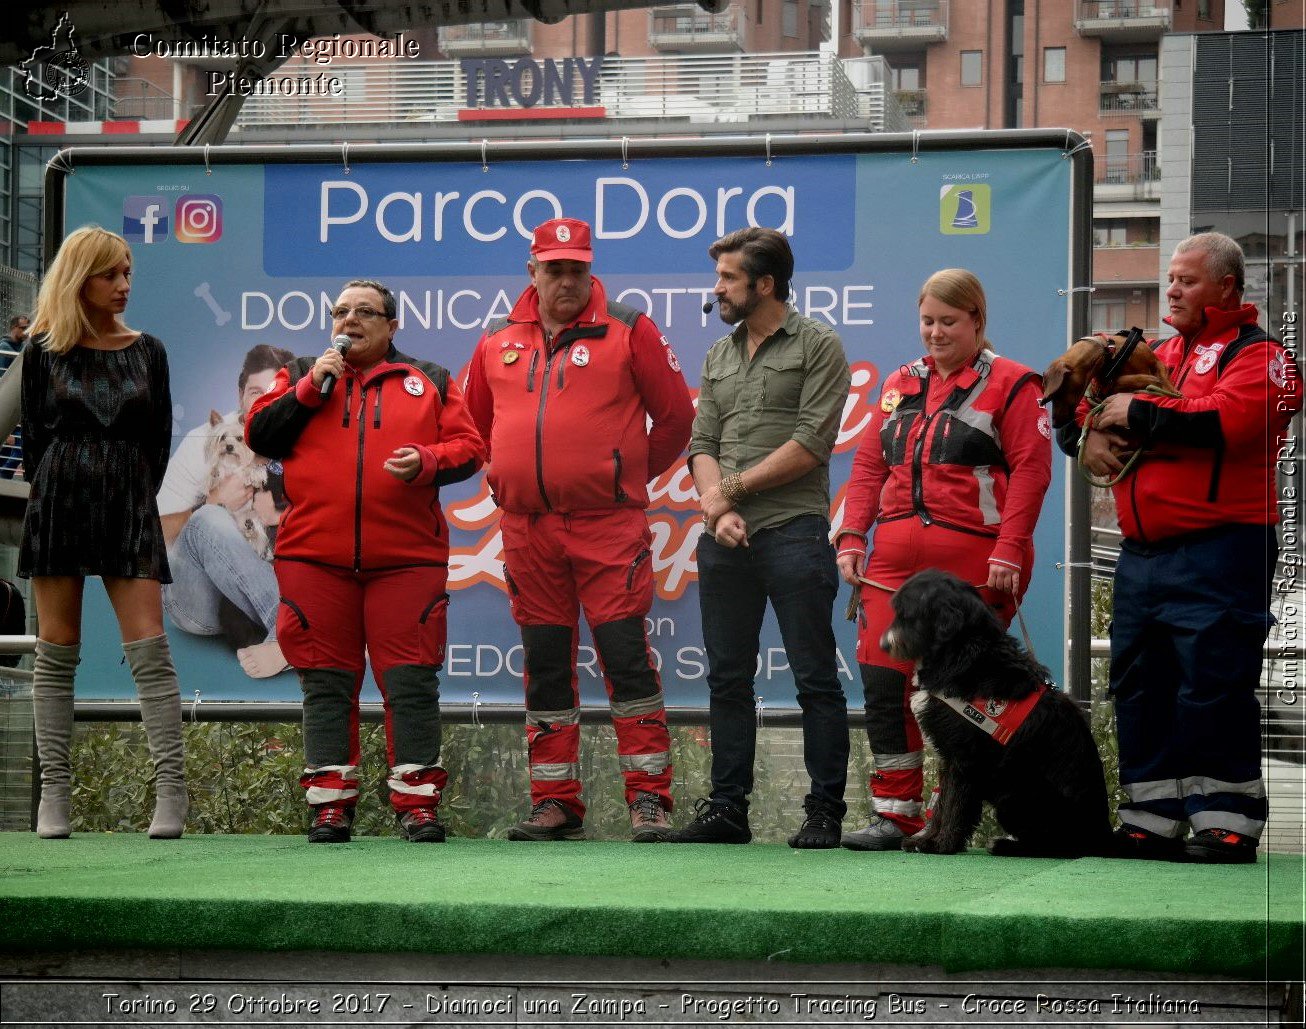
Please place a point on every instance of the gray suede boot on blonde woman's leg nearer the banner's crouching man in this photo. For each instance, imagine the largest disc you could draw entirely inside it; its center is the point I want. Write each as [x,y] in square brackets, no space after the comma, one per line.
[151,663]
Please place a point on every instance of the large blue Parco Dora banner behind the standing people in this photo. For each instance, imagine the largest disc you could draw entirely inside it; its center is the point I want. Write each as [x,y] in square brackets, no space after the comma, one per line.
[238,255]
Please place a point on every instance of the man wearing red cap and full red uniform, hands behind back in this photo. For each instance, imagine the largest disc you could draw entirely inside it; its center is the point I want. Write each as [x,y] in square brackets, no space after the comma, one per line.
[562,391]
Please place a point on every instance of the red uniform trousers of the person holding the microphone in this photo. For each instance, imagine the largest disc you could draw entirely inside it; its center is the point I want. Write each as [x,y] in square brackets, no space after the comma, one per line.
[328,618]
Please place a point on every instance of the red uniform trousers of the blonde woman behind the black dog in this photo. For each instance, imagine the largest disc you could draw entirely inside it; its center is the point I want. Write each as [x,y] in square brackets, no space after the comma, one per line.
[904,548]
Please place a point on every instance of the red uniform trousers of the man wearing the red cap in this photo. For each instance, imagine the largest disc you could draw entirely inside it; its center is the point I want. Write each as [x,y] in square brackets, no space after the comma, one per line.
[599,562]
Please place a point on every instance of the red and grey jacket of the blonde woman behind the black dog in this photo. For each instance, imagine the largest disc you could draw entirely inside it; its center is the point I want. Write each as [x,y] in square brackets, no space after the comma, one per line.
[971,452]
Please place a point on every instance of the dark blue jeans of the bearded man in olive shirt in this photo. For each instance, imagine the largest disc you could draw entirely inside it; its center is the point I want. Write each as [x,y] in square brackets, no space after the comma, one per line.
[793,567]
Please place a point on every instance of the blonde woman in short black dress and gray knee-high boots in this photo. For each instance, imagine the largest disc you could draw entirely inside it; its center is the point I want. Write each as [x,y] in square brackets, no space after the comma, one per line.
[97,417]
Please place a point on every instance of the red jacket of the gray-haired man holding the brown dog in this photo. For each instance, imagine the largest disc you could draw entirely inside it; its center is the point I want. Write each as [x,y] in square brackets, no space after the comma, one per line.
[1211,454]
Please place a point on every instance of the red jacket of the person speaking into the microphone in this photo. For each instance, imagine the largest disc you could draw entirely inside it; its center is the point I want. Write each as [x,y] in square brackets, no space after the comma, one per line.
[345,510]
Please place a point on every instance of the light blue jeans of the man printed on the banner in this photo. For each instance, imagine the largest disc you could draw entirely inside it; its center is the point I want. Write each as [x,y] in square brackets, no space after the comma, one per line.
[212,561]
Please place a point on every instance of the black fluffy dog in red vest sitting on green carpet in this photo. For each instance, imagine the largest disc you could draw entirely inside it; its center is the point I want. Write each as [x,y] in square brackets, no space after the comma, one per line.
[1045,783]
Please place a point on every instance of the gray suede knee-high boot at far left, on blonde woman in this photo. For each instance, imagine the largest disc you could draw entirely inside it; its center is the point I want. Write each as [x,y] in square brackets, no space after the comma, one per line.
[53,719]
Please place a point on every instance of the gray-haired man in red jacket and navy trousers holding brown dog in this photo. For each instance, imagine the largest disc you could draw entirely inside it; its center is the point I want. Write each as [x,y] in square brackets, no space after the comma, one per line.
[1192,601]
